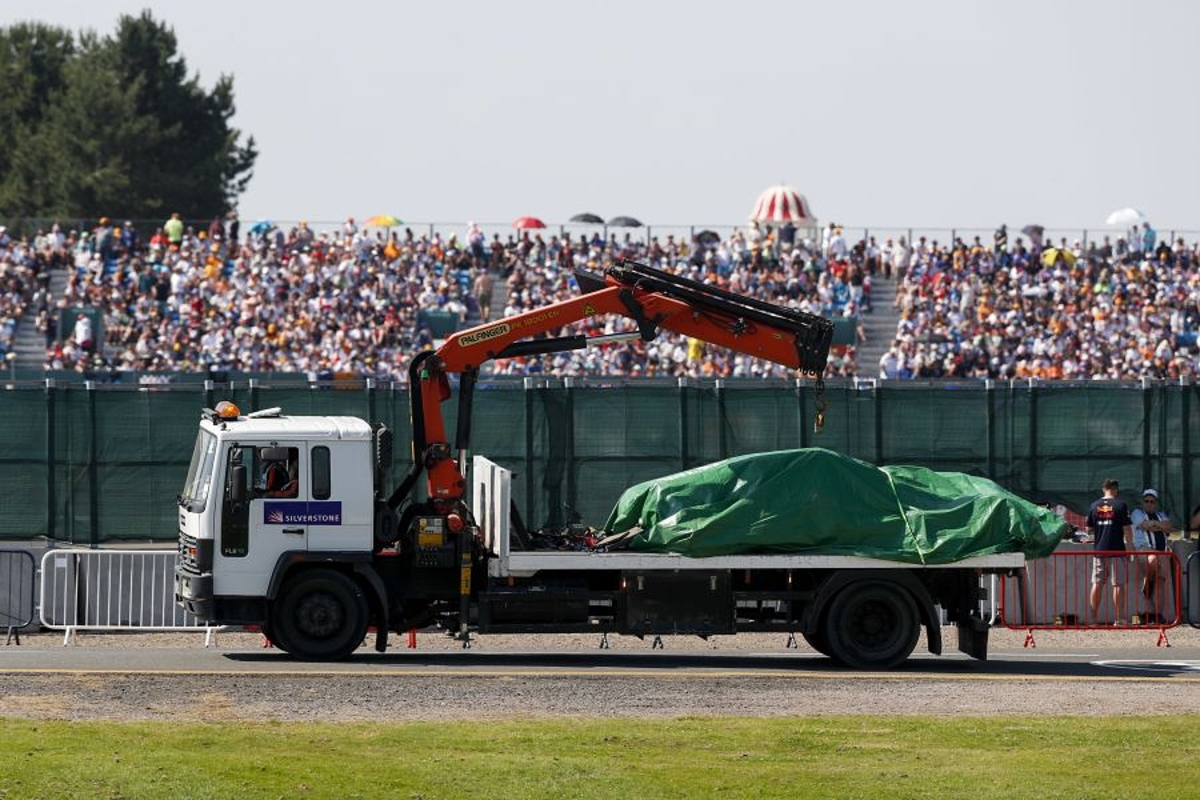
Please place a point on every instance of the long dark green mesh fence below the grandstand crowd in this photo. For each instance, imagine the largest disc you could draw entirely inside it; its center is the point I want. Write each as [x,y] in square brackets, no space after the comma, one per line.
[95,464]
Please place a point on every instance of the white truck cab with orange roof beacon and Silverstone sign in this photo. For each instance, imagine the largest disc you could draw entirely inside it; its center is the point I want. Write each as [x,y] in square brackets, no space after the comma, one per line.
[265,491]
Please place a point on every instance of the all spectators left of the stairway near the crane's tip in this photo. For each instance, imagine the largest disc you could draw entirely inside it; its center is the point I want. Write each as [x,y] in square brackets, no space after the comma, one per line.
[359,302]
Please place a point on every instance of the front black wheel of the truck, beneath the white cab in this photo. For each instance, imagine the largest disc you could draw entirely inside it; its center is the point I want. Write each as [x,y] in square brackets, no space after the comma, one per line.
[320,616]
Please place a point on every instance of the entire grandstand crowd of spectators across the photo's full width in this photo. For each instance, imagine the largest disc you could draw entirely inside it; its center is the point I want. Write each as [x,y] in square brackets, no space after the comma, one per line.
[359,302]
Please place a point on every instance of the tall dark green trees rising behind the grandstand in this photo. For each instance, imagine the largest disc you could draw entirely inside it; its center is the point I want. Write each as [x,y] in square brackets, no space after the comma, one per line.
[122,130]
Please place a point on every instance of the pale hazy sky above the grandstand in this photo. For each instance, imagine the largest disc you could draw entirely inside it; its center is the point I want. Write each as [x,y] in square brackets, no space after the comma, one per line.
[939,115]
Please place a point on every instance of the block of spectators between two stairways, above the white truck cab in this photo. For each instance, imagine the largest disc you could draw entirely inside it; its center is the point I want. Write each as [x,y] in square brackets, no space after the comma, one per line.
[345,302]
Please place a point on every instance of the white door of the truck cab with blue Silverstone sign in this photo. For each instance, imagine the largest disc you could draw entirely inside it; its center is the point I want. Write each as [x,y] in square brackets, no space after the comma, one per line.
[263,515]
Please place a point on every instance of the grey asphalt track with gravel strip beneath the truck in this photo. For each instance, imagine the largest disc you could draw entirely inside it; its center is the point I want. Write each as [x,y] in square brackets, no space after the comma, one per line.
[238,679]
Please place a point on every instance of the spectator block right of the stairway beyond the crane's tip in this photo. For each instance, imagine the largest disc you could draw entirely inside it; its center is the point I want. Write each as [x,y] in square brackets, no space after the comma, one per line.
[1123,309]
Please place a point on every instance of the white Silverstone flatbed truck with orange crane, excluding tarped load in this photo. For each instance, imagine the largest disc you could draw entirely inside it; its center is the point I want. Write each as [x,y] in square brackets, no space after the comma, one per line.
[320,561]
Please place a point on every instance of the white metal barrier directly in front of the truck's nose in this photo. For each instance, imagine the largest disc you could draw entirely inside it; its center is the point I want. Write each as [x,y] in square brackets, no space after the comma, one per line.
[113,591]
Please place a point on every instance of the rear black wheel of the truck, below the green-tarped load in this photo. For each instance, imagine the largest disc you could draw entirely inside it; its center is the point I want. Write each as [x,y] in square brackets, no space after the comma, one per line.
[872,625]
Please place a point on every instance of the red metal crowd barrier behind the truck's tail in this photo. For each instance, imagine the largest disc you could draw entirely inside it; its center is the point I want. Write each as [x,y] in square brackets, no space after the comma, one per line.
[1057,593]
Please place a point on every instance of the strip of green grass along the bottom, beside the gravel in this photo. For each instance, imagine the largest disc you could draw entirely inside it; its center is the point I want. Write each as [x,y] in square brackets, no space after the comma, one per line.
[728,757]
